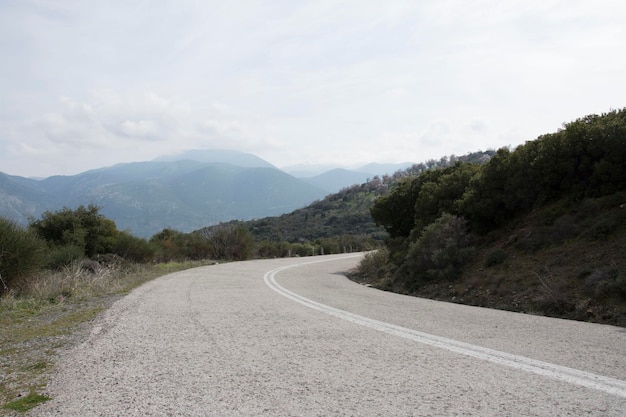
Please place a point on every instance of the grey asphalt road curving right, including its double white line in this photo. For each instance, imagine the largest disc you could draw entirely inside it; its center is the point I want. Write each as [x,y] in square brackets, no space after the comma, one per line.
[293,337]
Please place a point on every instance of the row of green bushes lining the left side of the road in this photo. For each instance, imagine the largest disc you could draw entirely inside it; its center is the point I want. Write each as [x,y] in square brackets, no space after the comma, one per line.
[70,236]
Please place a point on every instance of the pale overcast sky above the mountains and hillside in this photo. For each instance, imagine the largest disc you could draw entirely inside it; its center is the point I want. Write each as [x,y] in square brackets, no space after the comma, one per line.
[87,84]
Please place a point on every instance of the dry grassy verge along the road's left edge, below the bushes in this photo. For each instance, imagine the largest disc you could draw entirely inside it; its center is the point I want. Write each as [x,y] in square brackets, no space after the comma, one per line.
[52,315]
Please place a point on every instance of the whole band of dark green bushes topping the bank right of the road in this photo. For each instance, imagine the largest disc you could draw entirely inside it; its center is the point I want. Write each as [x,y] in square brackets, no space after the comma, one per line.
[431,217]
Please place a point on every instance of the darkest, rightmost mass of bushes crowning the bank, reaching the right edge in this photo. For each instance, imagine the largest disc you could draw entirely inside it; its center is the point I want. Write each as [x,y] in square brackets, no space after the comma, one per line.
[585,159]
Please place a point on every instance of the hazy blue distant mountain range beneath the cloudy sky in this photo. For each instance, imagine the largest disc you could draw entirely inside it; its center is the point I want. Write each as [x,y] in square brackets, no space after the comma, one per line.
[185,192]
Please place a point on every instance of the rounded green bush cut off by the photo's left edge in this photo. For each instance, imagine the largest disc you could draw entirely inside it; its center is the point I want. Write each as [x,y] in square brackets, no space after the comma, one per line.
[21,253]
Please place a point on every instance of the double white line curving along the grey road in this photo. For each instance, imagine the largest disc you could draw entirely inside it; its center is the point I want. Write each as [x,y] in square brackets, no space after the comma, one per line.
[573,376]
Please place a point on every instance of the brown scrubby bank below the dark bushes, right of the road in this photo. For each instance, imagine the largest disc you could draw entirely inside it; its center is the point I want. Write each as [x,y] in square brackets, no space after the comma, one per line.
[561,260]
